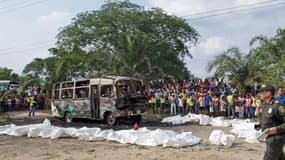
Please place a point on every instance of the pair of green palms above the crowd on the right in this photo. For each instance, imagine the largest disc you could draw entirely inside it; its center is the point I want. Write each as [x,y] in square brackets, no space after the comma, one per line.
[265,63]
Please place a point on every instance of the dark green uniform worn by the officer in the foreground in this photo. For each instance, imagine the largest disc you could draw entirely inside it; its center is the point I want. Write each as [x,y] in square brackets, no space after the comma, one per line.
[273,115]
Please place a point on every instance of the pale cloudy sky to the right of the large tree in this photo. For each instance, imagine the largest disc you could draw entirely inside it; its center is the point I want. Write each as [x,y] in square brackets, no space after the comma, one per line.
[219,33]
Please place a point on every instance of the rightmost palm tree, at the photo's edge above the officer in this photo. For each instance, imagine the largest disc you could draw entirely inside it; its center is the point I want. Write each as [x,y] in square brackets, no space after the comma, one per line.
[269,56]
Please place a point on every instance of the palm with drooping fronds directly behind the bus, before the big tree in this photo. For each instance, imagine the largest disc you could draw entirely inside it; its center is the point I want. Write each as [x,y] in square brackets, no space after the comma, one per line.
[132,58]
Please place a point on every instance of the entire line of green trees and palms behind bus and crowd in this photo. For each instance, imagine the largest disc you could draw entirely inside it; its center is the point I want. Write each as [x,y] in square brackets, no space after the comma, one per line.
[122,38]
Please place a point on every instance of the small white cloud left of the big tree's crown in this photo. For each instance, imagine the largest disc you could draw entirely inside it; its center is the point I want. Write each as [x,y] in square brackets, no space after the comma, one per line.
[56,17]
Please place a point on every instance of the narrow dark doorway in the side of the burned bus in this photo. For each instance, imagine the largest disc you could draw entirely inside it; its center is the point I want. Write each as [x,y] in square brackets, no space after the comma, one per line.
[95,102]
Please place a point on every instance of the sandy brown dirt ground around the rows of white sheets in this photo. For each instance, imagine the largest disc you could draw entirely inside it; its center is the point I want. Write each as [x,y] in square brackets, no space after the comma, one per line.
[23,148]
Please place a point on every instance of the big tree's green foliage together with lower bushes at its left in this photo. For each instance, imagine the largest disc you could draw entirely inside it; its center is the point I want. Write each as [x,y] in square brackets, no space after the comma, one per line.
[121,38]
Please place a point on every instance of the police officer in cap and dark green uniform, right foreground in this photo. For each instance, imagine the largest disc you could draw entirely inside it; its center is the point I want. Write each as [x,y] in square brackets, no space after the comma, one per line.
[272,118]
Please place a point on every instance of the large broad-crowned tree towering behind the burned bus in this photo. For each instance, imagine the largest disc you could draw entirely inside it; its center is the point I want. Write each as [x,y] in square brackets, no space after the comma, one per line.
[131,39]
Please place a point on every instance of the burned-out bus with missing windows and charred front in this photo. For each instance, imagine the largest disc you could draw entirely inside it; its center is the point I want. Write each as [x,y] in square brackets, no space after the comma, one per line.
[108,98]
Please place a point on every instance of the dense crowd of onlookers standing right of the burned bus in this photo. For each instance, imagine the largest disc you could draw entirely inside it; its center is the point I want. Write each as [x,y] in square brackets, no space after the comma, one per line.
[214,97]
